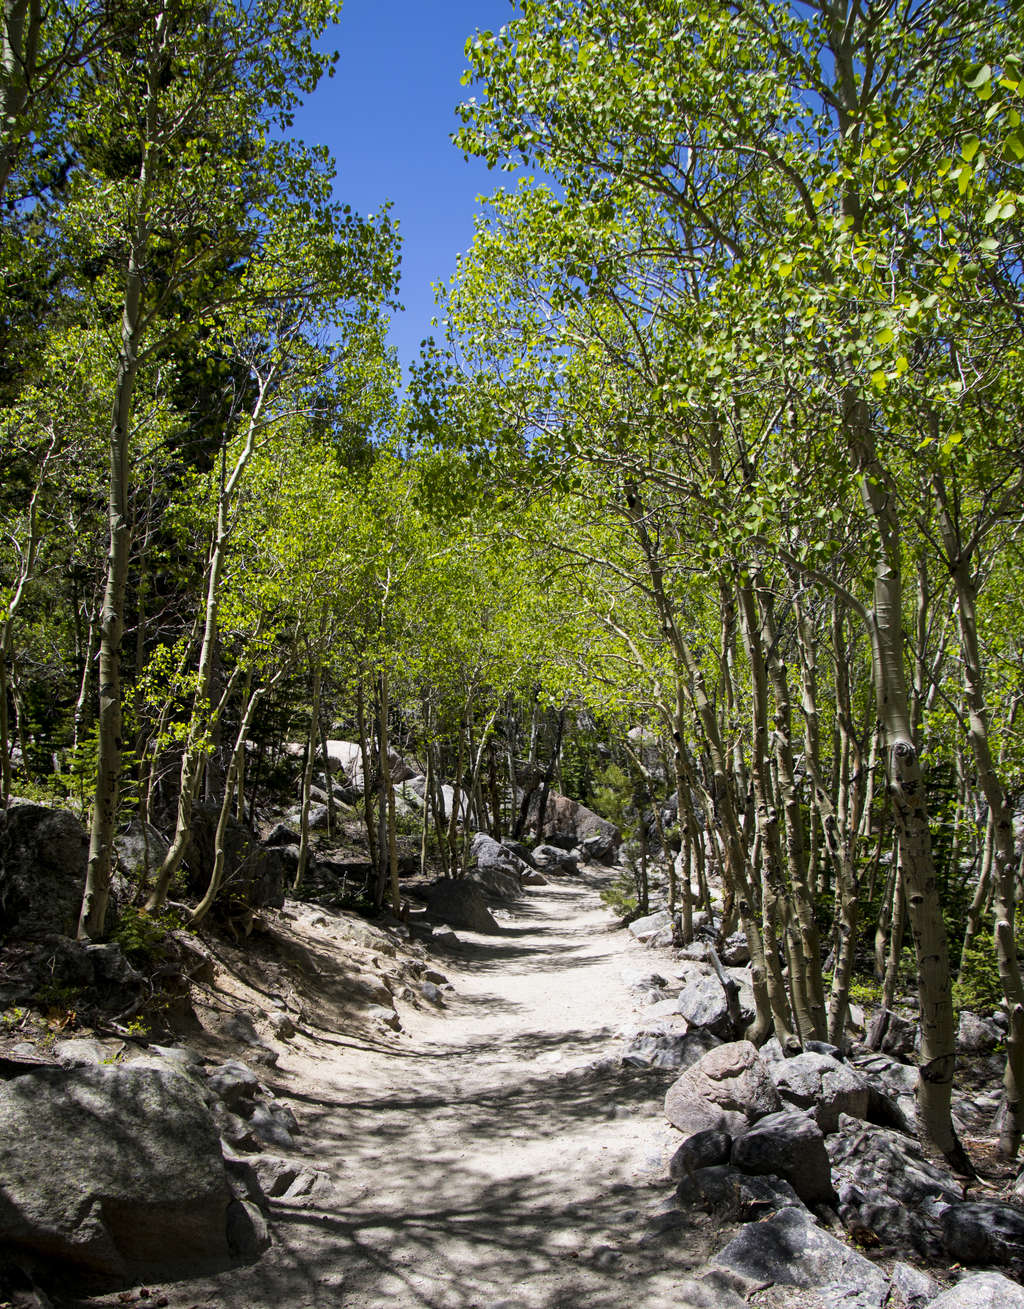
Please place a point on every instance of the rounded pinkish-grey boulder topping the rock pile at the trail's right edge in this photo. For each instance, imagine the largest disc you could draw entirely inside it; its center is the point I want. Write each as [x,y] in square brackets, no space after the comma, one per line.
[725,1091]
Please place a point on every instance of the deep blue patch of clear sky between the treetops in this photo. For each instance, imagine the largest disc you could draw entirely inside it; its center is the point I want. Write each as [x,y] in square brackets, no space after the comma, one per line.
[387,116]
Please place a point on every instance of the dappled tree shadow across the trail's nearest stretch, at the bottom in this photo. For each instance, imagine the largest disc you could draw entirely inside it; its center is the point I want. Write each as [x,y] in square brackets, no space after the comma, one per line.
[475,1243]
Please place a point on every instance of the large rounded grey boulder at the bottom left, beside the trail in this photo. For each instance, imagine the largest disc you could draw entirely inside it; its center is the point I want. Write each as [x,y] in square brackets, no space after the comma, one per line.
[112,1171]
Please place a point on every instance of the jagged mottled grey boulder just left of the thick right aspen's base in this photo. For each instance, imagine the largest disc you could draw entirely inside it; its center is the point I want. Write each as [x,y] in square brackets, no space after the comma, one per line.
[887,1187]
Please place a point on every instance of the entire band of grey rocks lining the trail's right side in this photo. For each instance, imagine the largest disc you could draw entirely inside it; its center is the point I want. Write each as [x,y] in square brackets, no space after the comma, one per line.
[795,1146]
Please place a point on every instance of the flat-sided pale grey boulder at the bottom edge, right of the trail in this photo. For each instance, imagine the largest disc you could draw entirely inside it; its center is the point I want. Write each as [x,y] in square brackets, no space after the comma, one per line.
[790,1249]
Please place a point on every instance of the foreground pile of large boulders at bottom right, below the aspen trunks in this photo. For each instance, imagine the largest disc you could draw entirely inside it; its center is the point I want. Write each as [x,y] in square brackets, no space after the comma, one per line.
[794,1143]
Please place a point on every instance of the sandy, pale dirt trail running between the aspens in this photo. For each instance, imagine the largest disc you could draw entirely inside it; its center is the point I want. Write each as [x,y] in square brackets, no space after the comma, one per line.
[493,1159]
